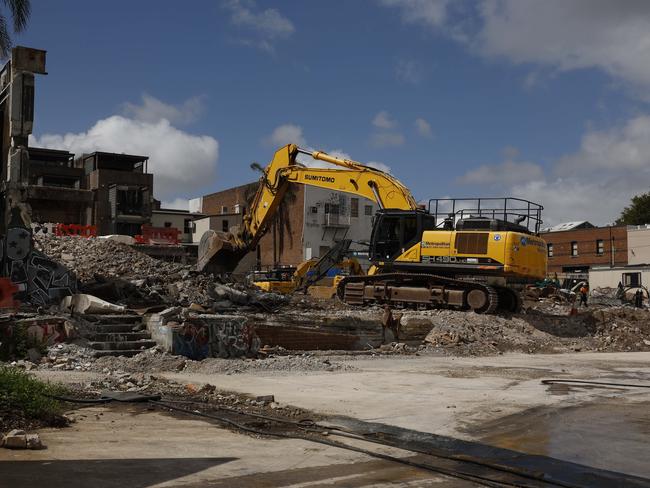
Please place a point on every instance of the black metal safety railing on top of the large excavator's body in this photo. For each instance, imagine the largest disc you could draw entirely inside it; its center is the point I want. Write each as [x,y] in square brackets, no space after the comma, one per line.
[514,210]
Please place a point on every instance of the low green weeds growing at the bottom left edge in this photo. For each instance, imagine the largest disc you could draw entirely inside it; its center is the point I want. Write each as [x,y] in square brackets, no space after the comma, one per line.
[22,392]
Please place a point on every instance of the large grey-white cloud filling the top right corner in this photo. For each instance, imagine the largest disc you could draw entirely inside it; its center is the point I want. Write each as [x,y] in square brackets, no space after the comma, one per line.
[561,35]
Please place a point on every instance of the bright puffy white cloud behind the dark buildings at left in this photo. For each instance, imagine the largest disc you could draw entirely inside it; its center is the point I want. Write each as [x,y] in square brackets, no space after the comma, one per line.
[179,161]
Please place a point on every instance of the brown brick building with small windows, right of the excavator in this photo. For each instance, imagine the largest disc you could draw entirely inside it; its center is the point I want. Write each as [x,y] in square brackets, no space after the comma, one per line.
[576,251]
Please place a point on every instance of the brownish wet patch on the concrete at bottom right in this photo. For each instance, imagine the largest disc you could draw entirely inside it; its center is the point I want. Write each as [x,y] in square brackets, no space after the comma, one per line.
[604,435]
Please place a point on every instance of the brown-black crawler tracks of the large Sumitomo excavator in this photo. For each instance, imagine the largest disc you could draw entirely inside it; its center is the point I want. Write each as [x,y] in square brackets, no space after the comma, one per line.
[421,290]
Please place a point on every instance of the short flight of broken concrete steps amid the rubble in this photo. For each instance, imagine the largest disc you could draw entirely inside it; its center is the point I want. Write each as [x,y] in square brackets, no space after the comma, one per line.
[113,335]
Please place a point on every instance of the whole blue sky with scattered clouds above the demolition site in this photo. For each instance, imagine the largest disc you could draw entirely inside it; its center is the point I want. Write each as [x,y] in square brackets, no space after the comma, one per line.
[546,100]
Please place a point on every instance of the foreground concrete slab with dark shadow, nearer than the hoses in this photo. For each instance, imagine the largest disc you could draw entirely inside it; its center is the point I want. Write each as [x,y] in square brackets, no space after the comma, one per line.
[128,445]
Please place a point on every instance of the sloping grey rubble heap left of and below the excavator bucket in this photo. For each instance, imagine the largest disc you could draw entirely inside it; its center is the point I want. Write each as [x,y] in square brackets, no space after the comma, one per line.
[118,273]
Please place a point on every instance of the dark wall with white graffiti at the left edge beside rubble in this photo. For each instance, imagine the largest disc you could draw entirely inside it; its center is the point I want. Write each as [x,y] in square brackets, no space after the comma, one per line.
[40,280]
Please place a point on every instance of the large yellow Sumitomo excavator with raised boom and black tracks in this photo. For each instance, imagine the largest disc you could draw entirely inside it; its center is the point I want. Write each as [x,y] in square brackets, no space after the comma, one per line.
[458,253]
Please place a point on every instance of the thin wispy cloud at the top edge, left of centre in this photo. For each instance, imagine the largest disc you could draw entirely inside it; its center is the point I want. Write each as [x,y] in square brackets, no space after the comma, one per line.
[266,26]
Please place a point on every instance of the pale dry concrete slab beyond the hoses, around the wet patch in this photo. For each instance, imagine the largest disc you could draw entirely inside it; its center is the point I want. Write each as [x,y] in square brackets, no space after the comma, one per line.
[457,397]
